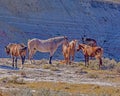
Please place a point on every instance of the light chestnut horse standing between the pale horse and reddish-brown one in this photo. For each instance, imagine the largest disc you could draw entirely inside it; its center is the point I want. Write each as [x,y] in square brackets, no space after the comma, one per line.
[68,50]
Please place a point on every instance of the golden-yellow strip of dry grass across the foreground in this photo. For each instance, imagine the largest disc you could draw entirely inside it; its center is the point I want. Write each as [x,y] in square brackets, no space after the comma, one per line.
[76,88]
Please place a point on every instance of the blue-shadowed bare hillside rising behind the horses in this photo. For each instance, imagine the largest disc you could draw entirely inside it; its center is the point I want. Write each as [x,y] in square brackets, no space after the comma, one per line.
[21,20]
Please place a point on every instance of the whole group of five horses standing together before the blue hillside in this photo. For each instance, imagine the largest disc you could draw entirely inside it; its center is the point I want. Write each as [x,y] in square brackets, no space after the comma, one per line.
[89,49]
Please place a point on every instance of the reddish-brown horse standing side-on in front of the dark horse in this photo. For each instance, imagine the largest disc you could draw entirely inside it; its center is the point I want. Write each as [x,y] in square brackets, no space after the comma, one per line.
[90,51]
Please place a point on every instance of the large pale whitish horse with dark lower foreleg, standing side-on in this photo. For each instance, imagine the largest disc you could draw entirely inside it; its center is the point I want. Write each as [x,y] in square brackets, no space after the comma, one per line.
[49,45]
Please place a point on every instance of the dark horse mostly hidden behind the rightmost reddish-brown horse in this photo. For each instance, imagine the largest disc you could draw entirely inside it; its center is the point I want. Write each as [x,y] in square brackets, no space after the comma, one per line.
[89,41]
